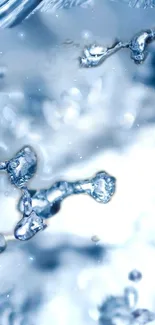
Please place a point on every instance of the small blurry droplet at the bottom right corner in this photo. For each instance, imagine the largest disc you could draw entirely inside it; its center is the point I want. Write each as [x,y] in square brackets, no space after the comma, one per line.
[143,316]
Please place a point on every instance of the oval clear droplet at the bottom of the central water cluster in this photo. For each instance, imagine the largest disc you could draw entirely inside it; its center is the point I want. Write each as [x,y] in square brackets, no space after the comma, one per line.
[27,227]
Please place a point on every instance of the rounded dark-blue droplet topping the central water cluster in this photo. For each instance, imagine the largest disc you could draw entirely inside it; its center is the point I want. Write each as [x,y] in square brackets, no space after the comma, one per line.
[22,167]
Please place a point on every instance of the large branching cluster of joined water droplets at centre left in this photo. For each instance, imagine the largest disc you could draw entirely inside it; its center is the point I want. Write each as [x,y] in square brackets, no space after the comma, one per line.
[37,206]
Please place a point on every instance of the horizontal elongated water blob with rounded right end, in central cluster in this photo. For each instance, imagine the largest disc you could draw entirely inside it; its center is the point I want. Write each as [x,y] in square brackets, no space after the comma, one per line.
[47,202]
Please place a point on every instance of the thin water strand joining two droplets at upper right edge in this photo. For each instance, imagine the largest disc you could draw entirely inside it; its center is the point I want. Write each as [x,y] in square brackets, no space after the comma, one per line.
[94,55]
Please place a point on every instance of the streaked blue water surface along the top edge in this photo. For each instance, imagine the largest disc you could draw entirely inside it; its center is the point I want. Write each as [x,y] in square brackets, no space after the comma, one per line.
[13,12]
